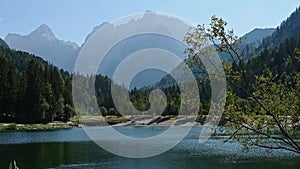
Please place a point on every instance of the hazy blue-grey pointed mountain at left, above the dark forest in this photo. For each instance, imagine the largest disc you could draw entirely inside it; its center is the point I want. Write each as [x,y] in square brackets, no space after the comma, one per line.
[42,42]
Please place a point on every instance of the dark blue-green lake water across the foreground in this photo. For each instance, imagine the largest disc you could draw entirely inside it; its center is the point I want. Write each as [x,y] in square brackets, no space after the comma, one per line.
[72,149]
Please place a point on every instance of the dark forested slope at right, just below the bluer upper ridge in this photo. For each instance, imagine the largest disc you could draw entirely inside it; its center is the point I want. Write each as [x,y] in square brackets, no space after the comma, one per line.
[282,61]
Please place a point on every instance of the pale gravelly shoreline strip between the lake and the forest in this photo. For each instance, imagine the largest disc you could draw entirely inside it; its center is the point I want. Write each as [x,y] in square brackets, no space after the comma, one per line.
[108,121]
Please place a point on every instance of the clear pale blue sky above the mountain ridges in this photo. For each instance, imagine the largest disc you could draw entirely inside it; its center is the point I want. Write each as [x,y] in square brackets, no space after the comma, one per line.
[73,19]
